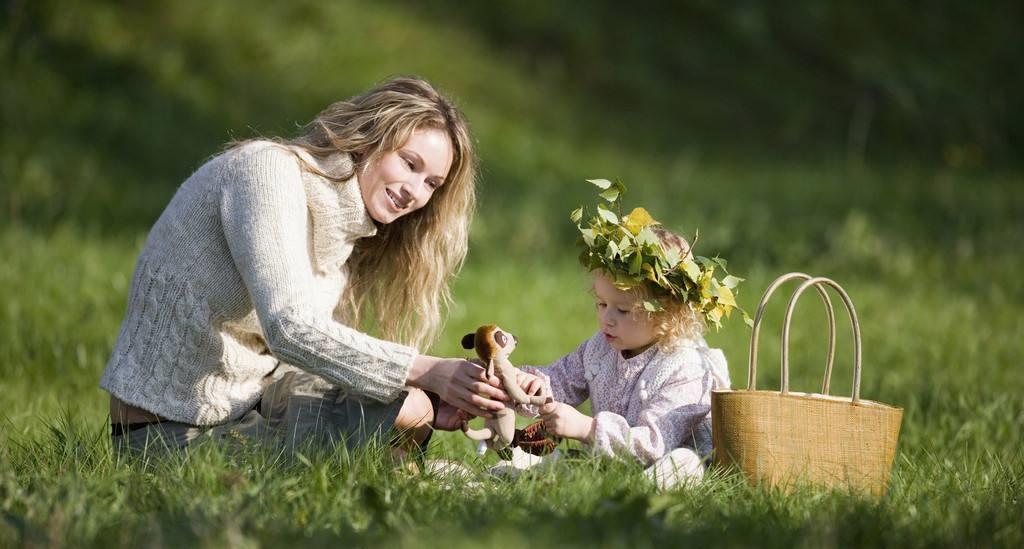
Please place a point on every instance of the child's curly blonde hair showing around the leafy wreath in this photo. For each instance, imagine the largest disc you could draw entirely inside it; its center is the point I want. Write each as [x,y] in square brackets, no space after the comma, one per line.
[677,322]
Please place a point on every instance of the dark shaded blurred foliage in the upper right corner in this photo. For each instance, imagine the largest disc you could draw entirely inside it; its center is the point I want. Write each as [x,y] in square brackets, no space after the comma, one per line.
[881,79]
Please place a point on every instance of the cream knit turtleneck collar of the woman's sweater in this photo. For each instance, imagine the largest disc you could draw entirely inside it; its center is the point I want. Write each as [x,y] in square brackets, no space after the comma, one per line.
[338,215]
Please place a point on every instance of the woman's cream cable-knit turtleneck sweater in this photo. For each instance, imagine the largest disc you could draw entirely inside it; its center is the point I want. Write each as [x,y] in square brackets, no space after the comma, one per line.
[244,271]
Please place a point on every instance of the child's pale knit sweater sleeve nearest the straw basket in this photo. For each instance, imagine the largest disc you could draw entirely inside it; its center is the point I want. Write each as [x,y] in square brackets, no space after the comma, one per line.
[670,414]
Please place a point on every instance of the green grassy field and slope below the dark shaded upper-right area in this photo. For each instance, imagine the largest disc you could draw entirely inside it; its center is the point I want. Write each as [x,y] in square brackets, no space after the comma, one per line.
[113,108]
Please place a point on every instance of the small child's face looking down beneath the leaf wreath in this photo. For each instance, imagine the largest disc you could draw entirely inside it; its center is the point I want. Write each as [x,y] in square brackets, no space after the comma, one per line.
[625,328]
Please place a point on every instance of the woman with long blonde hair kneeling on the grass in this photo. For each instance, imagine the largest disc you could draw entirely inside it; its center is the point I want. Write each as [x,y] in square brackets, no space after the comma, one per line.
[246,303]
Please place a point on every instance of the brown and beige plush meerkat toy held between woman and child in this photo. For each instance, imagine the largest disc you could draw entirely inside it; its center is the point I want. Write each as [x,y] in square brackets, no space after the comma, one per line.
[494,347]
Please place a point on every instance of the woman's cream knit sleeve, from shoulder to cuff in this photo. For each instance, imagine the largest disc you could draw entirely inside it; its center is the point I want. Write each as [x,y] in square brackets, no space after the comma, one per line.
[266,221]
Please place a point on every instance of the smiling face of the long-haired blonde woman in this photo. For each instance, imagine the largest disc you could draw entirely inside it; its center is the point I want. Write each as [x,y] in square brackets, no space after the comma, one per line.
[402,182]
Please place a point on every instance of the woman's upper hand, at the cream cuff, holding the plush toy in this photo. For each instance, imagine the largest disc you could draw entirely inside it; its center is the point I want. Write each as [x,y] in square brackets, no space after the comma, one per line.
[461,384]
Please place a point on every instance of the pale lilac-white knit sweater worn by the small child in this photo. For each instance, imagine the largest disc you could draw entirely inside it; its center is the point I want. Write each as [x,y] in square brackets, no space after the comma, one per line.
[647,406]
